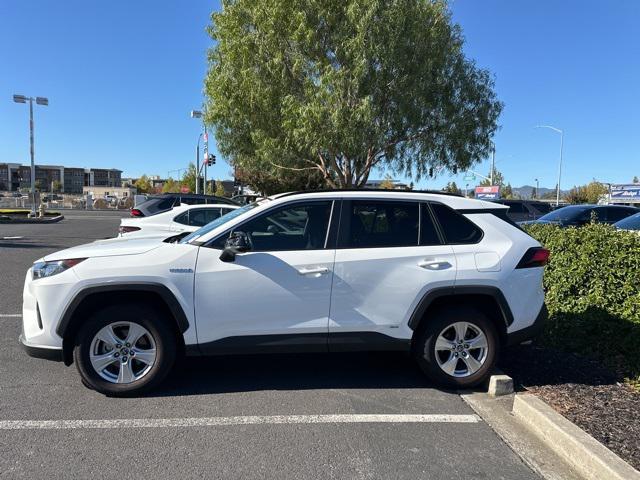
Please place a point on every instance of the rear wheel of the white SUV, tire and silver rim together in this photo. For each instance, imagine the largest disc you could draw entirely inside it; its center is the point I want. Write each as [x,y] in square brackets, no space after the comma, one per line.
[457,347]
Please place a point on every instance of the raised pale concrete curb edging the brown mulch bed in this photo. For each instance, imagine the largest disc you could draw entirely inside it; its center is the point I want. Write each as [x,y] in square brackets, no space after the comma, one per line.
[584,453]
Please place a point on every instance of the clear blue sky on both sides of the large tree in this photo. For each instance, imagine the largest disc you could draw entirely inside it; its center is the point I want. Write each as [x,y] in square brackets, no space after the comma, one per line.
[123,75]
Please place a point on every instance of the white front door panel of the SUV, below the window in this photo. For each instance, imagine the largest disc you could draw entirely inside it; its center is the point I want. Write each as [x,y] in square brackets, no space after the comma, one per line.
[290,300]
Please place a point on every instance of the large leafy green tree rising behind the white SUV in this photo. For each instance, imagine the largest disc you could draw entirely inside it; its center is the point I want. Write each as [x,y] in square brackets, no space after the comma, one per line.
[339,87]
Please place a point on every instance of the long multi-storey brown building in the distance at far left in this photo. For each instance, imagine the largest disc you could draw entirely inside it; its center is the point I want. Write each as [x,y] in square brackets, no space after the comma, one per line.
[14,177]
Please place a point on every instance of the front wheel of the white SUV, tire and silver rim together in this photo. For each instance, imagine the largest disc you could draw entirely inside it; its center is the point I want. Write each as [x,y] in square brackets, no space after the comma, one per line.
[124,350]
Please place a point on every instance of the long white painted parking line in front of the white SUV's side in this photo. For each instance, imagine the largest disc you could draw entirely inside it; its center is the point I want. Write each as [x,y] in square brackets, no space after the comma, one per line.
[220,421]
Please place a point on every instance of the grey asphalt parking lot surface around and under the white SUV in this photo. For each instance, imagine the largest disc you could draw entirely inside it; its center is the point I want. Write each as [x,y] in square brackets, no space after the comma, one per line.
[304,416]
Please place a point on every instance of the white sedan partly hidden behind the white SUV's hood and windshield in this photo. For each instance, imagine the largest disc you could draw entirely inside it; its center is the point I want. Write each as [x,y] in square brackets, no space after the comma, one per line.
[182,219]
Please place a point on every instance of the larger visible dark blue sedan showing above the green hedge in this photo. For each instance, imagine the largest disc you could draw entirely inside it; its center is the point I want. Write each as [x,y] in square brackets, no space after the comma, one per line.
[578,215]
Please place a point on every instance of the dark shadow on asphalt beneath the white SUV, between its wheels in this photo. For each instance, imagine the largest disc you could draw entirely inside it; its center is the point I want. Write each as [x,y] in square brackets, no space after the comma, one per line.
[245,373]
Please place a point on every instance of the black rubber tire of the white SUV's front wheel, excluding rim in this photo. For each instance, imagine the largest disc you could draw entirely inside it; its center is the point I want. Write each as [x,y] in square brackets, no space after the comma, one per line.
[144,315]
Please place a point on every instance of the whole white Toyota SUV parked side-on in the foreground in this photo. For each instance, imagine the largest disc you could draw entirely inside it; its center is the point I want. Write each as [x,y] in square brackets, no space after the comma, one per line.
[447,278]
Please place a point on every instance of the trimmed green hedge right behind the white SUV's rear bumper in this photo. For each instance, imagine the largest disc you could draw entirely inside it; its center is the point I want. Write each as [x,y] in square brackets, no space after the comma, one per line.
[592,286]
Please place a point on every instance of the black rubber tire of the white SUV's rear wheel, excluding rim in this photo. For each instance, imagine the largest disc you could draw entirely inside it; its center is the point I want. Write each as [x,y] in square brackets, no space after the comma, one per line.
[424,350]
